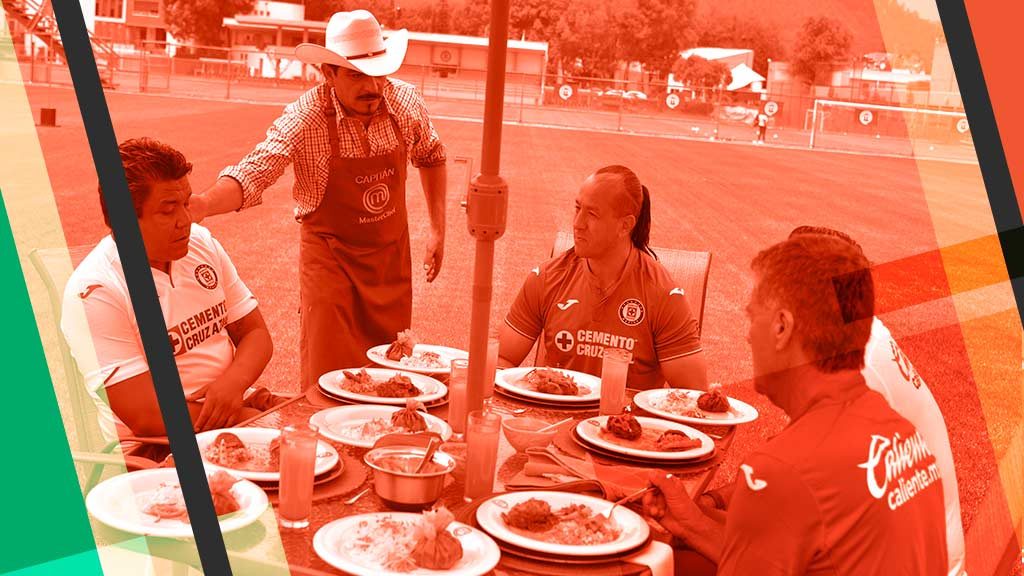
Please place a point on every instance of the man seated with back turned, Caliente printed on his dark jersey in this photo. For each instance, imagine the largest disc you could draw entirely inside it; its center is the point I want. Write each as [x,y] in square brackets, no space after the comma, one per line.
[849,487]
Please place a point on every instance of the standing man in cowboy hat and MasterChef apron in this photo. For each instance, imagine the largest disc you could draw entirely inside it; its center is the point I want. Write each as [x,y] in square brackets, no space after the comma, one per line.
[351,140]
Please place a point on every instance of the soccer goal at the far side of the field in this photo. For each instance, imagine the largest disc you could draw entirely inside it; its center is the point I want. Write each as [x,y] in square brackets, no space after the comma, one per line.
[889,130]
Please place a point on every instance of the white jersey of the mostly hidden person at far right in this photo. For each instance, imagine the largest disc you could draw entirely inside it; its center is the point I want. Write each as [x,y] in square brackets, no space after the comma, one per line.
[890,374]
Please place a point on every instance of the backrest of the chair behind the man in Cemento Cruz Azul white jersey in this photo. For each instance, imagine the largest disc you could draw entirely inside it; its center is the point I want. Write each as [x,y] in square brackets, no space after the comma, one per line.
[55,267]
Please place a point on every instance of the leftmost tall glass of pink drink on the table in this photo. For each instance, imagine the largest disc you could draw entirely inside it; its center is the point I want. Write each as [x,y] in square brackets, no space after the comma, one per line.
[298,460]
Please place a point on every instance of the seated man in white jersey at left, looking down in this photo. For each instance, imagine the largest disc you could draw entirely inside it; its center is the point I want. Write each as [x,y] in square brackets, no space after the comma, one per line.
[222,344]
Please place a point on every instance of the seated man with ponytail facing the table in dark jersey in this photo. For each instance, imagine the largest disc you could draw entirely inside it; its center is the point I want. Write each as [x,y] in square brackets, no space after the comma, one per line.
[609,292]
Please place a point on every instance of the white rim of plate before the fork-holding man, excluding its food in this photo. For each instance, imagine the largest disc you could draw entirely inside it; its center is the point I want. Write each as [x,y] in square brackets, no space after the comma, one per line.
[634,529]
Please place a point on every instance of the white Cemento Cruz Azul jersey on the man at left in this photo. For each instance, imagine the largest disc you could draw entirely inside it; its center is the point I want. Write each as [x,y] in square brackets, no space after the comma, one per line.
[200,298]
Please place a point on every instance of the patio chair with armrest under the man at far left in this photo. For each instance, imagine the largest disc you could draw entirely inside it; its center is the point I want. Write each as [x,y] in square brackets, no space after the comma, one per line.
[92,447]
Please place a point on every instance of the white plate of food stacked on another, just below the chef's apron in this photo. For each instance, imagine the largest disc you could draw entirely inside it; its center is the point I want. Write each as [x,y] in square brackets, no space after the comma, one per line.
[381,386]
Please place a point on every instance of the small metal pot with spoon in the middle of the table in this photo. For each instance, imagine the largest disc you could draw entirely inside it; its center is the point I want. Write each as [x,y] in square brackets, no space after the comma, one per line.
[401,488]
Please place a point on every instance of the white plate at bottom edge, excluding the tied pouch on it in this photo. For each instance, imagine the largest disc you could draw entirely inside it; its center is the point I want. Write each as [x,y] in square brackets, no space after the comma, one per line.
[382,545]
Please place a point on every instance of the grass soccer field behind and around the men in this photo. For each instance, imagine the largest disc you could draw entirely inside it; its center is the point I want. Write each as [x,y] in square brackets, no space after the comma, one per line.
[732,200]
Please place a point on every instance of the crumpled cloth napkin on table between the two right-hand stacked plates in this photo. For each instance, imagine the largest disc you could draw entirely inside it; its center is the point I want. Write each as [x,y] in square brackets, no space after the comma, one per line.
[548,469]
